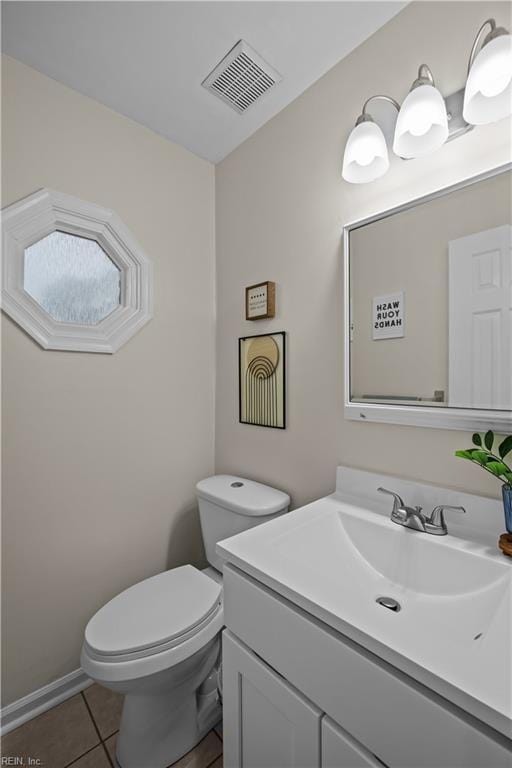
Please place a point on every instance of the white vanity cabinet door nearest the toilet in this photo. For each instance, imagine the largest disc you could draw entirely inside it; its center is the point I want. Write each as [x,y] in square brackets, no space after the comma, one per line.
[267,723]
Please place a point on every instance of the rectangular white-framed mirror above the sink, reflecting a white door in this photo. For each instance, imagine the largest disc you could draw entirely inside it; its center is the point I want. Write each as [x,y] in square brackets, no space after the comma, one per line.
[428,309]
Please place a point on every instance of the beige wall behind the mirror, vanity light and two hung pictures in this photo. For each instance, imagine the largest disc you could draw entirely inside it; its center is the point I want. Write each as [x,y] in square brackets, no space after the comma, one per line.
[281,205]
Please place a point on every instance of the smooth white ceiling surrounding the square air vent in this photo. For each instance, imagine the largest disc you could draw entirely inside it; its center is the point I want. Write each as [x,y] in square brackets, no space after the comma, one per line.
[147,60]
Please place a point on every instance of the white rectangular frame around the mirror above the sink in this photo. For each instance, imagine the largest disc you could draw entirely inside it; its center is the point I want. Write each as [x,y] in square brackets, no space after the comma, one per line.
[470,419]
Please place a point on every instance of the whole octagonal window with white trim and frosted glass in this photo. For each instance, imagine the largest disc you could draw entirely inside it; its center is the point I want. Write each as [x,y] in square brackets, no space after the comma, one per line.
[86,286]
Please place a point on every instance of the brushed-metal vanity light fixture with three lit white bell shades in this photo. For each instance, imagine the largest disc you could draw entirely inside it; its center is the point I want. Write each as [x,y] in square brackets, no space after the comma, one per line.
[426,119]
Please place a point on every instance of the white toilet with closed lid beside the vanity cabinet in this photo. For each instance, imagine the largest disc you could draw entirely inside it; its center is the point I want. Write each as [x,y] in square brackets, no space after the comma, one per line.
[158,642]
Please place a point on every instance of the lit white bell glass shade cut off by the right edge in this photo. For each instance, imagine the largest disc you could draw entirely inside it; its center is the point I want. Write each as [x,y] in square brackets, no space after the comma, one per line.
[488,93]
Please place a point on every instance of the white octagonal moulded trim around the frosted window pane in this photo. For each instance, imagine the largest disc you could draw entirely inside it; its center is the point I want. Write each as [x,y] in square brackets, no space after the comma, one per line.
[38,215]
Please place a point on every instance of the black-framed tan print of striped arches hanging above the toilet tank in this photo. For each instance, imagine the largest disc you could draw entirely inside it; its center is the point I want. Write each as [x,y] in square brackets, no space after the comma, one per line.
[262,380]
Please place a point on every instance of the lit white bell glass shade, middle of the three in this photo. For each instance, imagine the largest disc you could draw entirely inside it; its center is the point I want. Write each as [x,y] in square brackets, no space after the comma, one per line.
[422,123]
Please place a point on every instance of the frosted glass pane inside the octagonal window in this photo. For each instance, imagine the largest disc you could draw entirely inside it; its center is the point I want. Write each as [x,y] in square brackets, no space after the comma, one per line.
[72,278]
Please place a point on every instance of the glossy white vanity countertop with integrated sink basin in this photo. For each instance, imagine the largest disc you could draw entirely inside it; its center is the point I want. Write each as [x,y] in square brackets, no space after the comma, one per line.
[335,558]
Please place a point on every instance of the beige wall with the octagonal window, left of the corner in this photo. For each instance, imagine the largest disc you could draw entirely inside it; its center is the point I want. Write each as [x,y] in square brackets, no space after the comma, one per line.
[101,452]
